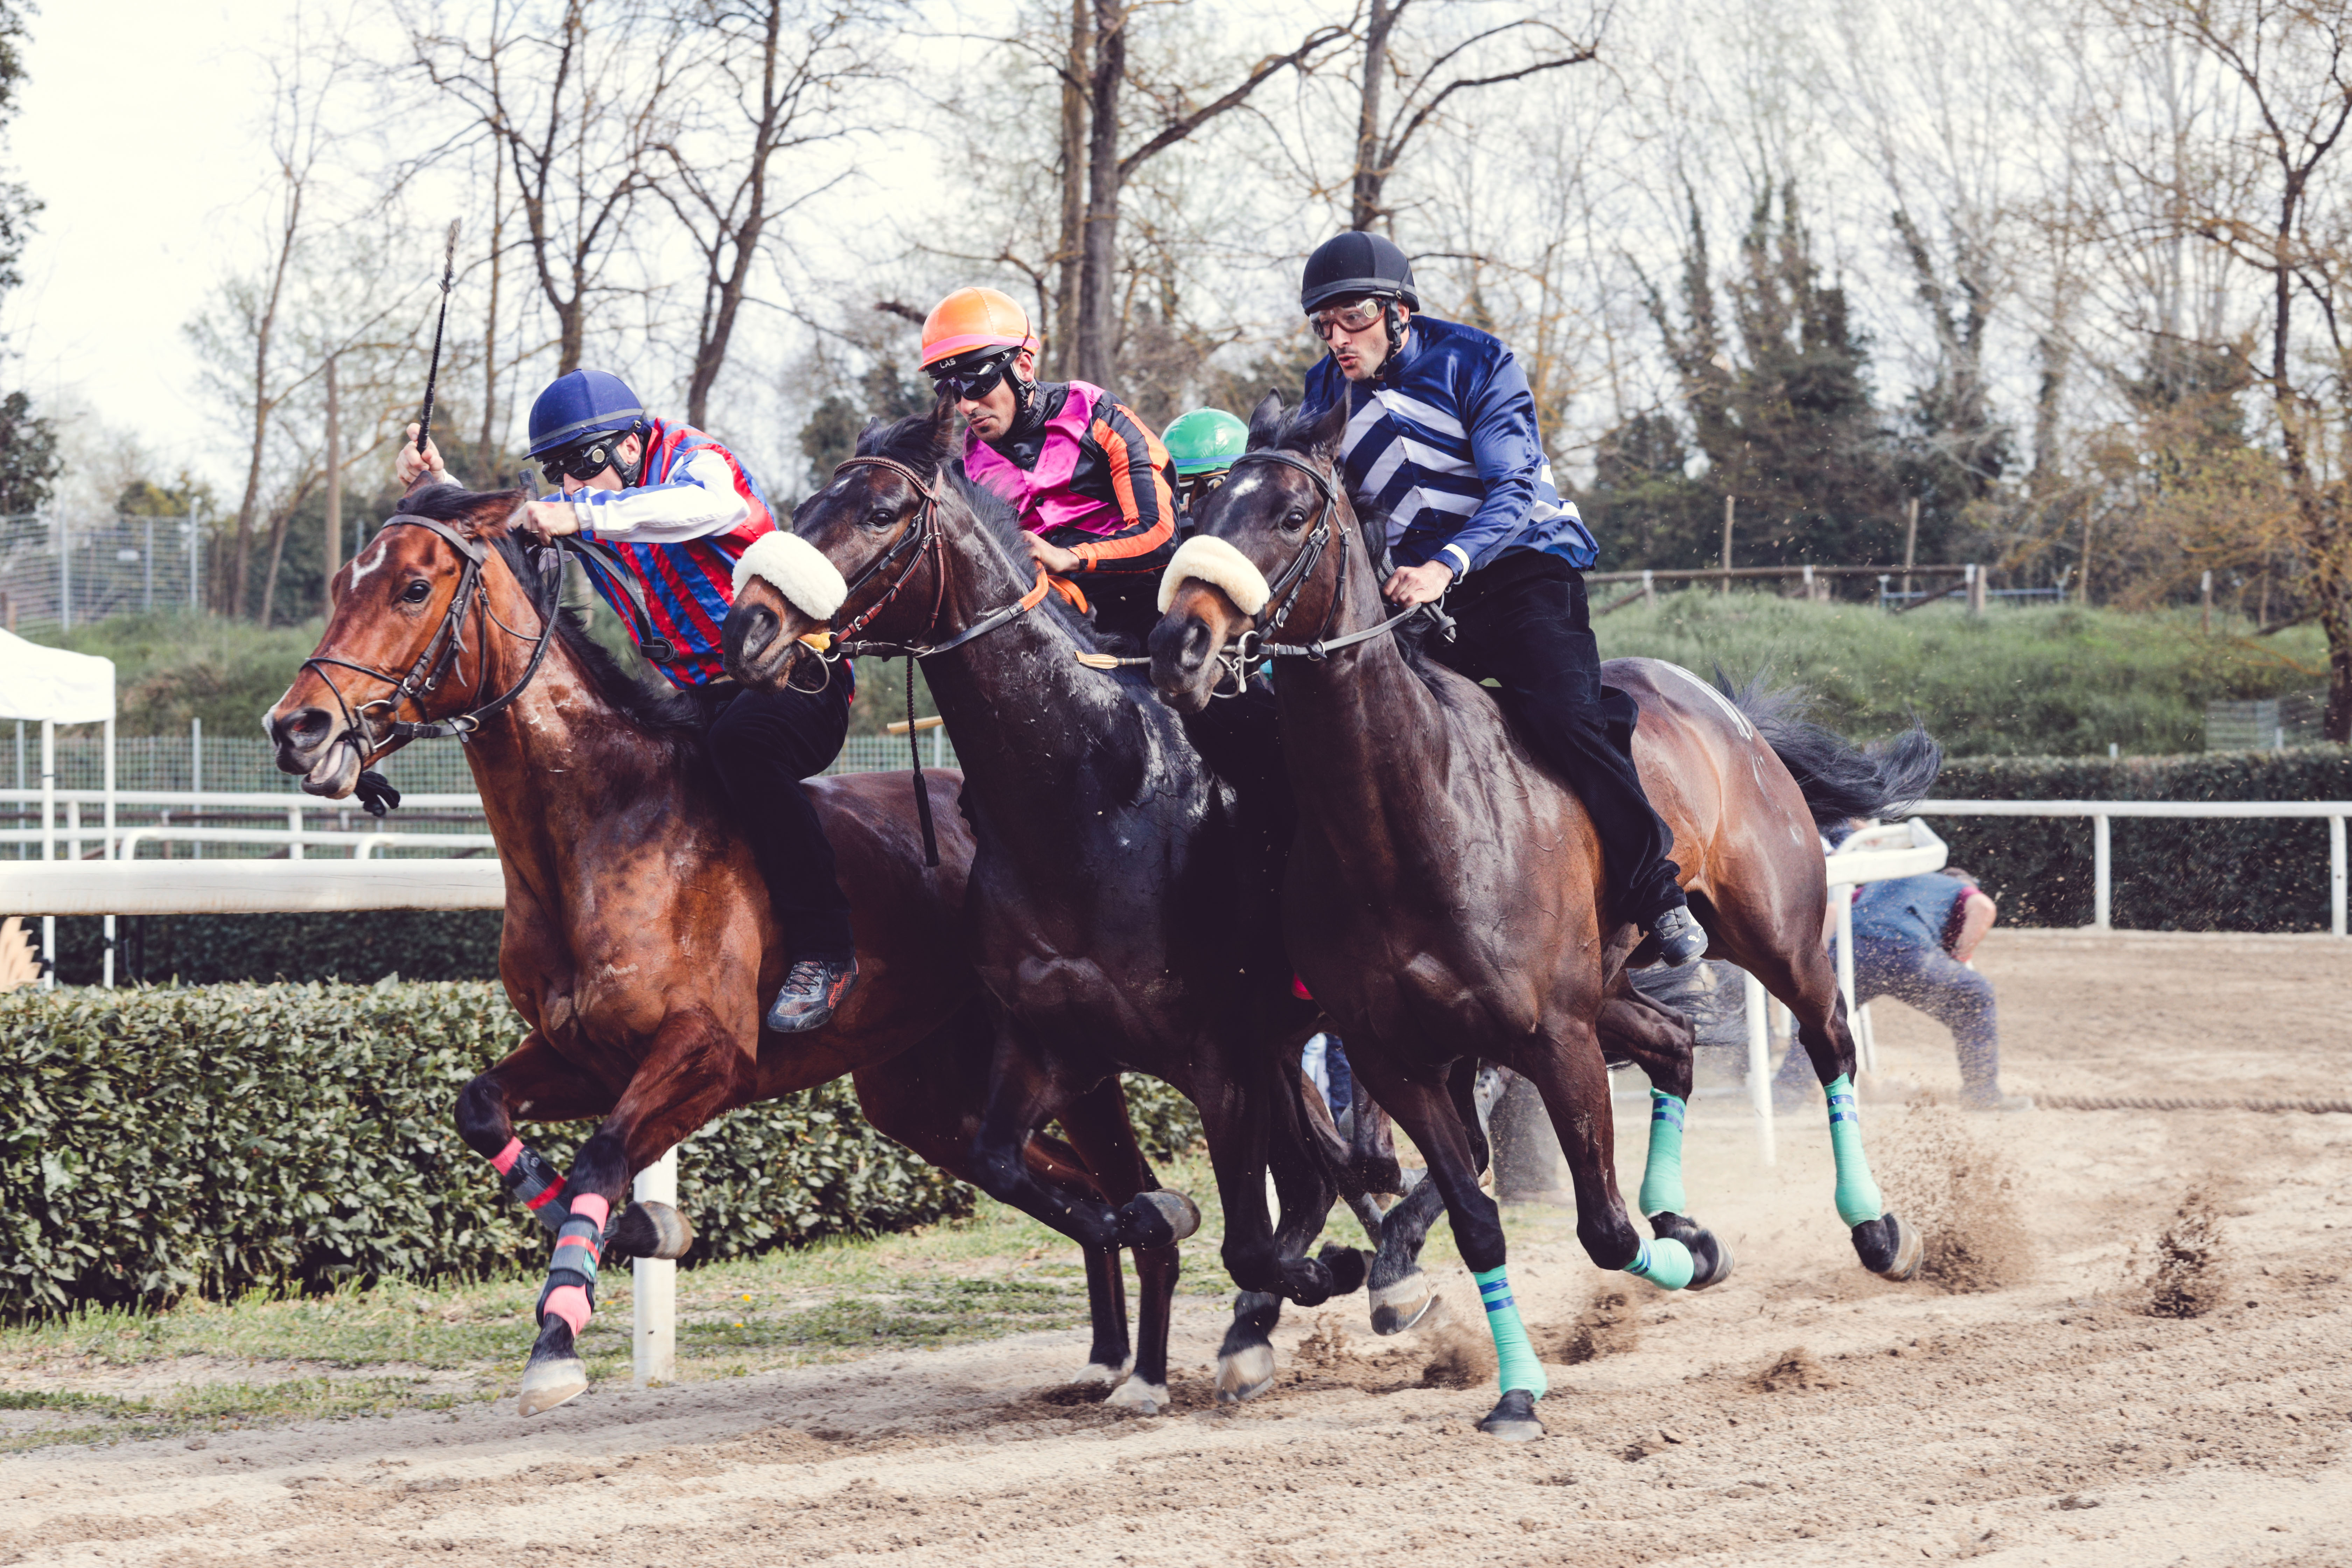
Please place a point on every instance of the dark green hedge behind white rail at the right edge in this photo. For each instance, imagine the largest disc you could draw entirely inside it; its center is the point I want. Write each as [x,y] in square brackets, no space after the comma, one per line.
[2170,873]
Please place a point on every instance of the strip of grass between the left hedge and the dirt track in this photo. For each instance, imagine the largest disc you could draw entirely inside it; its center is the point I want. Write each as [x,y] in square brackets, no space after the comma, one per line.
[206,1367]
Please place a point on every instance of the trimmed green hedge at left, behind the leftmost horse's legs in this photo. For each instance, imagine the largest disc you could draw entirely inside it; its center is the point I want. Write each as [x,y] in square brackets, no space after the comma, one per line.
[302,1137]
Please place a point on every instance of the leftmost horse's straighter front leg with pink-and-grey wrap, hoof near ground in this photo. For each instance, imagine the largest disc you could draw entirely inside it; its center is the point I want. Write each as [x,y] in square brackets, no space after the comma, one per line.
[693,1073]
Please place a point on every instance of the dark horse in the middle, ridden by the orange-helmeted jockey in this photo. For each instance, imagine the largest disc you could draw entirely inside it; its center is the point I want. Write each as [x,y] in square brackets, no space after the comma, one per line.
[1123,902]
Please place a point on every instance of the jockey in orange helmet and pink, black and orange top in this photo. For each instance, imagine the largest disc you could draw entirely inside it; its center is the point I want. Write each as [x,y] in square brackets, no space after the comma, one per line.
[1085,476]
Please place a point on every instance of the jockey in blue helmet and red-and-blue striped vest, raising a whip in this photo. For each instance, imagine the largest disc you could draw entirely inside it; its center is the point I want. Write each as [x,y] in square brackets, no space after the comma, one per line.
[664,516]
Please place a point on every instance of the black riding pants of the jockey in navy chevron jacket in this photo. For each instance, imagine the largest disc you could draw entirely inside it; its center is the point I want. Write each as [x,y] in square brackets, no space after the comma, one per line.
[1525,624]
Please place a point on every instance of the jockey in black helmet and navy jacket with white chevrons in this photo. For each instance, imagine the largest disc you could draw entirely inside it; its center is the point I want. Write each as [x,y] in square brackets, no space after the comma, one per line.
[1443,443]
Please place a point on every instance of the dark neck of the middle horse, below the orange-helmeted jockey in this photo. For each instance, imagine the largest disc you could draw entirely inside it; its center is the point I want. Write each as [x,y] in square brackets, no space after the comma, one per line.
[1036,732]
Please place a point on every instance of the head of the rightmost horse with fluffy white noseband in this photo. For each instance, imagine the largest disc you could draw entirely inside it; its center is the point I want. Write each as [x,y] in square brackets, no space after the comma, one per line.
[1264,554]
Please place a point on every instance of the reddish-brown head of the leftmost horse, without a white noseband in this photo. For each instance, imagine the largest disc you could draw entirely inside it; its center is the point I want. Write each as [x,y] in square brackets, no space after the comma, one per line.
[396,641]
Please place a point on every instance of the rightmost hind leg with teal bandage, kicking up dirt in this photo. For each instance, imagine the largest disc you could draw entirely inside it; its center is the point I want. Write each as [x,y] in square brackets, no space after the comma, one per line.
[1805,981]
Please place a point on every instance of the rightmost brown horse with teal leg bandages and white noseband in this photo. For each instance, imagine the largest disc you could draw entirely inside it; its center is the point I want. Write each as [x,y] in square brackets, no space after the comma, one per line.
[1445,894]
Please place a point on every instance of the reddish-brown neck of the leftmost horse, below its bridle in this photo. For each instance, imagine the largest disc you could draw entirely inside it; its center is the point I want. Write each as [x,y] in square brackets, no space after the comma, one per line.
[559,744]
